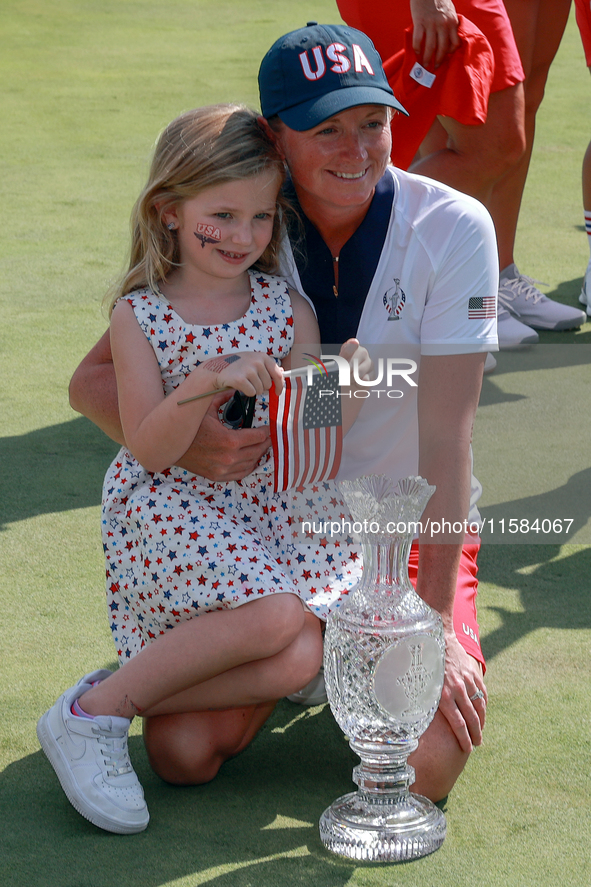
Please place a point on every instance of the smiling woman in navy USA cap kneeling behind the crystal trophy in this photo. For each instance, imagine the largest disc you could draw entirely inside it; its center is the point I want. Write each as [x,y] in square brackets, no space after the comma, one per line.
[378,245]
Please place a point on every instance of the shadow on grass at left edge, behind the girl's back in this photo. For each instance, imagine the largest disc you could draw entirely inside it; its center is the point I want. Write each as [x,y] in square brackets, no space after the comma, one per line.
[53,469]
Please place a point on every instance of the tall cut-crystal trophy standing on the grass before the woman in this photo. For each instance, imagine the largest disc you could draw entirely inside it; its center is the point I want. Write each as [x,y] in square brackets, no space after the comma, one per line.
[384,658]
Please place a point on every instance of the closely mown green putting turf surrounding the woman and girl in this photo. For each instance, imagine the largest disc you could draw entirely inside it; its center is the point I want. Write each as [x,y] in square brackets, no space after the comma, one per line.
[87,85]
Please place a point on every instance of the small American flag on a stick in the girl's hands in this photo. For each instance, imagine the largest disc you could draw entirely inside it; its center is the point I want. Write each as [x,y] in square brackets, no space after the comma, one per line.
[306,430]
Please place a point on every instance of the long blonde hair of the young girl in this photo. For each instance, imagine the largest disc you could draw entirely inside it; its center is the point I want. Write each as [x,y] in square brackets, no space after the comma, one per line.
[201,148]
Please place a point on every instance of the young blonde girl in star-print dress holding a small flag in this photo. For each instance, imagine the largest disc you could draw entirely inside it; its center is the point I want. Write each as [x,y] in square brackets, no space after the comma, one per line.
[197,312]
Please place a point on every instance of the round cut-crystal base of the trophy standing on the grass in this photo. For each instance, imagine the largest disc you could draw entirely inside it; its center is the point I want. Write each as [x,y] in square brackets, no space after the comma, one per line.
[382,831]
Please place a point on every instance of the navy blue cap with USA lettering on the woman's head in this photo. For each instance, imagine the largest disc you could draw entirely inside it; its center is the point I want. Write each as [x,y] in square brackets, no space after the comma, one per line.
[315,72]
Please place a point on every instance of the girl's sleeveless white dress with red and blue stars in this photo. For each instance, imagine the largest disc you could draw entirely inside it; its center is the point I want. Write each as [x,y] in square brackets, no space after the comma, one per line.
[178,545]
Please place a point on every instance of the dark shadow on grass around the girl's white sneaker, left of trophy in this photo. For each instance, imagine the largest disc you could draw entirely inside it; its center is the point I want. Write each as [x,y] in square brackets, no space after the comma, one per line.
[257,823]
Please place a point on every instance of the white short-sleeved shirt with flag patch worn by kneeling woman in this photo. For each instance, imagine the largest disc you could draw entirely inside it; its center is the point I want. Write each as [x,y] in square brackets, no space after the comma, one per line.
[434,292]
